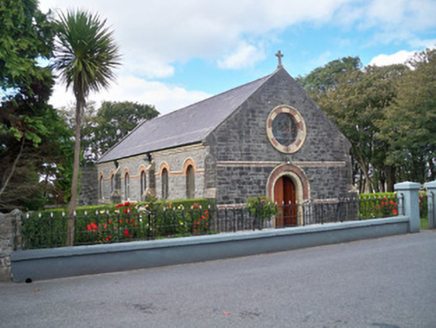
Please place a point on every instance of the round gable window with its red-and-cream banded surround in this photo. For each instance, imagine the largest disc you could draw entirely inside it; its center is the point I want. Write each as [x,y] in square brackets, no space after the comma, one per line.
[286,129]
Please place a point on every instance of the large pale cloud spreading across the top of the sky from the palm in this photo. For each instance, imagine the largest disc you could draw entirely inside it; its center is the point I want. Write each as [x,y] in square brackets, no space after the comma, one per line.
[155,34]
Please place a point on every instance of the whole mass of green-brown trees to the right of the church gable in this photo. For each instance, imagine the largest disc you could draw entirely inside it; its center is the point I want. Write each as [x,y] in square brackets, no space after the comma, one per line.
[387,113]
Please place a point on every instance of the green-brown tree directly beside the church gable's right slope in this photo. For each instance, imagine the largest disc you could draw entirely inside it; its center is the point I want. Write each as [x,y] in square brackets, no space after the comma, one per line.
[356,100]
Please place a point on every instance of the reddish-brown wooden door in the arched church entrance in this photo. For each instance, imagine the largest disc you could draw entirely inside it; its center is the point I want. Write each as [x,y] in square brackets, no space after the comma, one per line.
[285,196]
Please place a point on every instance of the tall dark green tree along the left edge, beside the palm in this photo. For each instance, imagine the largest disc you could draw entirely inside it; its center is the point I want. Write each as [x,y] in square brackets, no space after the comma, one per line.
[26,34]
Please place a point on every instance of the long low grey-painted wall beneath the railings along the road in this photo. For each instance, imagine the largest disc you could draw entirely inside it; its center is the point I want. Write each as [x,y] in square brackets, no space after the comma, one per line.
[81,260]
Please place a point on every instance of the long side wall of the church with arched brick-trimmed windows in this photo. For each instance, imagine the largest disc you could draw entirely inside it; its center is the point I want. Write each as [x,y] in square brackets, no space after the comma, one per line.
[170,174]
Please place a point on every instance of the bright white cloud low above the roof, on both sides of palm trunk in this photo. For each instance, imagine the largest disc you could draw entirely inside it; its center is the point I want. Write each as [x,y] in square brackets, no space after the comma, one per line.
[165,98]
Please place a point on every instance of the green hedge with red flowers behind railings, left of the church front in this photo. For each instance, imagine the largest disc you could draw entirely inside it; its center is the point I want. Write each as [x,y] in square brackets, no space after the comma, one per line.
[115,223]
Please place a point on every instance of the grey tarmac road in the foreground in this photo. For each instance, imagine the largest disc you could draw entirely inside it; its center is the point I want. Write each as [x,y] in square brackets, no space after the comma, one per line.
[383,283]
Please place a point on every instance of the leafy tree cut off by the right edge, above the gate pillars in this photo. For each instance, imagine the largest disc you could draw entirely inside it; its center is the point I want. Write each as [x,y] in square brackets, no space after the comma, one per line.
[410,124]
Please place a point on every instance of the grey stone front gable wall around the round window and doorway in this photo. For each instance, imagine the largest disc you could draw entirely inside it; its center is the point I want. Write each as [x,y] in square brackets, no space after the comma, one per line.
[243,138]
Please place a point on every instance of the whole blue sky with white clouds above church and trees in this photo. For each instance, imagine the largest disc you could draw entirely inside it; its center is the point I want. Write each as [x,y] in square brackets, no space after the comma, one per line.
[176,53]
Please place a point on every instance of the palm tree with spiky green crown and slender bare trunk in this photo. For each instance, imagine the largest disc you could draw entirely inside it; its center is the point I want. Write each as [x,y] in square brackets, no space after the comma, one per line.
[86,55]
